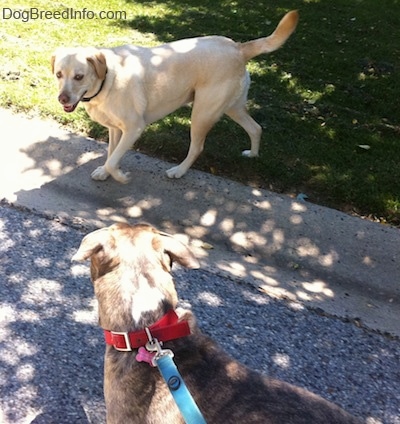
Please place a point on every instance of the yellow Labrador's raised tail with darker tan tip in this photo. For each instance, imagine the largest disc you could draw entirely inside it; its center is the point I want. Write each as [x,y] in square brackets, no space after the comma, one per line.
[268,44]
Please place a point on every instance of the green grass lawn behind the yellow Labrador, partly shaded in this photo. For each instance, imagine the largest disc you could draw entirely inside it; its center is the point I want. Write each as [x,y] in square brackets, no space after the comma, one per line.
[333,87]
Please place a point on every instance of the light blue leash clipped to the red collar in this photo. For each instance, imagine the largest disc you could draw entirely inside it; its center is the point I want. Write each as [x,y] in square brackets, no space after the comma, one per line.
[186,404]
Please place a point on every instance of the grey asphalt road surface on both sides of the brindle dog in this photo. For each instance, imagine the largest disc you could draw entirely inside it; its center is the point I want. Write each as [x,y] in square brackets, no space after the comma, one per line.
[51,349]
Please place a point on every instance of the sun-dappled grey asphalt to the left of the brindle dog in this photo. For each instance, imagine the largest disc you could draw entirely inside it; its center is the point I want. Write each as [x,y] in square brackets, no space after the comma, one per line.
[51,351]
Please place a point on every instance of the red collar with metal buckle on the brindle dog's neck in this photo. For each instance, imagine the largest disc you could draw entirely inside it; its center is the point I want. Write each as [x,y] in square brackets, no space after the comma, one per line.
[167,328]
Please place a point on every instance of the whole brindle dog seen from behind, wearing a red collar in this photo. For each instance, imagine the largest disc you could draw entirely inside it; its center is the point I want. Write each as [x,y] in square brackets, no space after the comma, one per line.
[130,270]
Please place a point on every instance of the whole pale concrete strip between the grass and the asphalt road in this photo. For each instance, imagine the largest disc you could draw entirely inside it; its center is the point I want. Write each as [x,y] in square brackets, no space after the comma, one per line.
[309,254]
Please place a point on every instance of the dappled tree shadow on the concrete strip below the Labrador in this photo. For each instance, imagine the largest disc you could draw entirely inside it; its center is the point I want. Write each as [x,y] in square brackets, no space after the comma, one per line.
[269,233]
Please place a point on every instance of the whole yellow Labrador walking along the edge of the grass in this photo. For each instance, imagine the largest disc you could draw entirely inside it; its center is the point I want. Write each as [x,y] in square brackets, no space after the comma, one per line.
[128,87]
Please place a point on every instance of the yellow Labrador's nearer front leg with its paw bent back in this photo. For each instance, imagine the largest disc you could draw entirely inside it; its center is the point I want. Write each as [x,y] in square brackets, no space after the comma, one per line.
[126,142]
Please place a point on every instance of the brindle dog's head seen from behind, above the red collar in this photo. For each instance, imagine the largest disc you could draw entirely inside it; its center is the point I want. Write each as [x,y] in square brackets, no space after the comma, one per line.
[130,270]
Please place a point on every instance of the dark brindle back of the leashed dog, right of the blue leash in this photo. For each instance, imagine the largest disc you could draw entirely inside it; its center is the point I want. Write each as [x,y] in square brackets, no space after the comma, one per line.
[227,392]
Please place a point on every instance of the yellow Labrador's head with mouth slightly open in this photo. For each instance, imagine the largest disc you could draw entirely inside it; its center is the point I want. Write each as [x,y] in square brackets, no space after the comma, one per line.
[79,71]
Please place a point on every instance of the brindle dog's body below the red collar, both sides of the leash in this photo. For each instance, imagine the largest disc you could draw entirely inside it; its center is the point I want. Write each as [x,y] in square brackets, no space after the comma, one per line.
[225,391]
